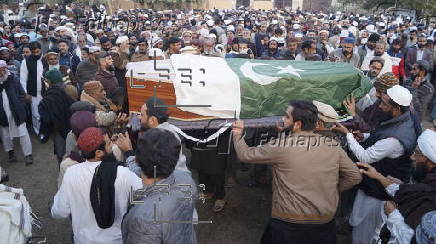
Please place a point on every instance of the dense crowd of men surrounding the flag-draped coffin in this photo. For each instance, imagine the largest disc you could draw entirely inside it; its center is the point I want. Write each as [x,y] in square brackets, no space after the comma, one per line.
[62,76]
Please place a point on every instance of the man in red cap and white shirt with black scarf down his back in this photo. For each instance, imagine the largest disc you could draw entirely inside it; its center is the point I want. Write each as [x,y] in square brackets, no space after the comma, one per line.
[96,207]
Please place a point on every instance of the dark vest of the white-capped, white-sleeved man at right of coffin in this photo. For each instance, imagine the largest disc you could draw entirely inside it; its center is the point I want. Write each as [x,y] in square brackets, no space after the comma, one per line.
[401,128]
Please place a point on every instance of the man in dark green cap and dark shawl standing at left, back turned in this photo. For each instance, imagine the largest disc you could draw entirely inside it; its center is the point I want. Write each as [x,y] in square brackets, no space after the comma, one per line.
[54,109]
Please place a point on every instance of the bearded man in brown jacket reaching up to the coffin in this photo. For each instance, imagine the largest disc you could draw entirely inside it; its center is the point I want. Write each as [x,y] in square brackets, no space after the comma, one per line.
[305,195]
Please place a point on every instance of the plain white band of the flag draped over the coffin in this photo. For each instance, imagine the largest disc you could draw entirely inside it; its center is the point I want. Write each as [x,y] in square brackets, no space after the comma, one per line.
[213,83]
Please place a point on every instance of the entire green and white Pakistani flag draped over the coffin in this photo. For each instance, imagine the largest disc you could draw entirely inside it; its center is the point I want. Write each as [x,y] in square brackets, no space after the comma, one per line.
[260,88]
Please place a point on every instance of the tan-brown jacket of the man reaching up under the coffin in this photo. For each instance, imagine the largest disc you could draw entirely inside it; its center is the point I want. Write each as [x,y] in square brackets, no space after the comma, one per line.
[309,171]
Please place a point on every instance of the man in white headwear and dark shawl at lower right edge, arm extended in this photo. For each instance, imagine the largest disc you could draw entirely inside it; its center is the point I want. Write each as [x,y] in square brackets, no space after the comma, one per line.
[410,201]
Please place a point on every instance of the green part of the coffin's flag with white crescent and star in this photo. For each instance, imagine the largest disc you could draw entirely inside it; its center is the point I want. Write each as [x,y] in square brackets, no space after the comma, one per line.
[268,85]
